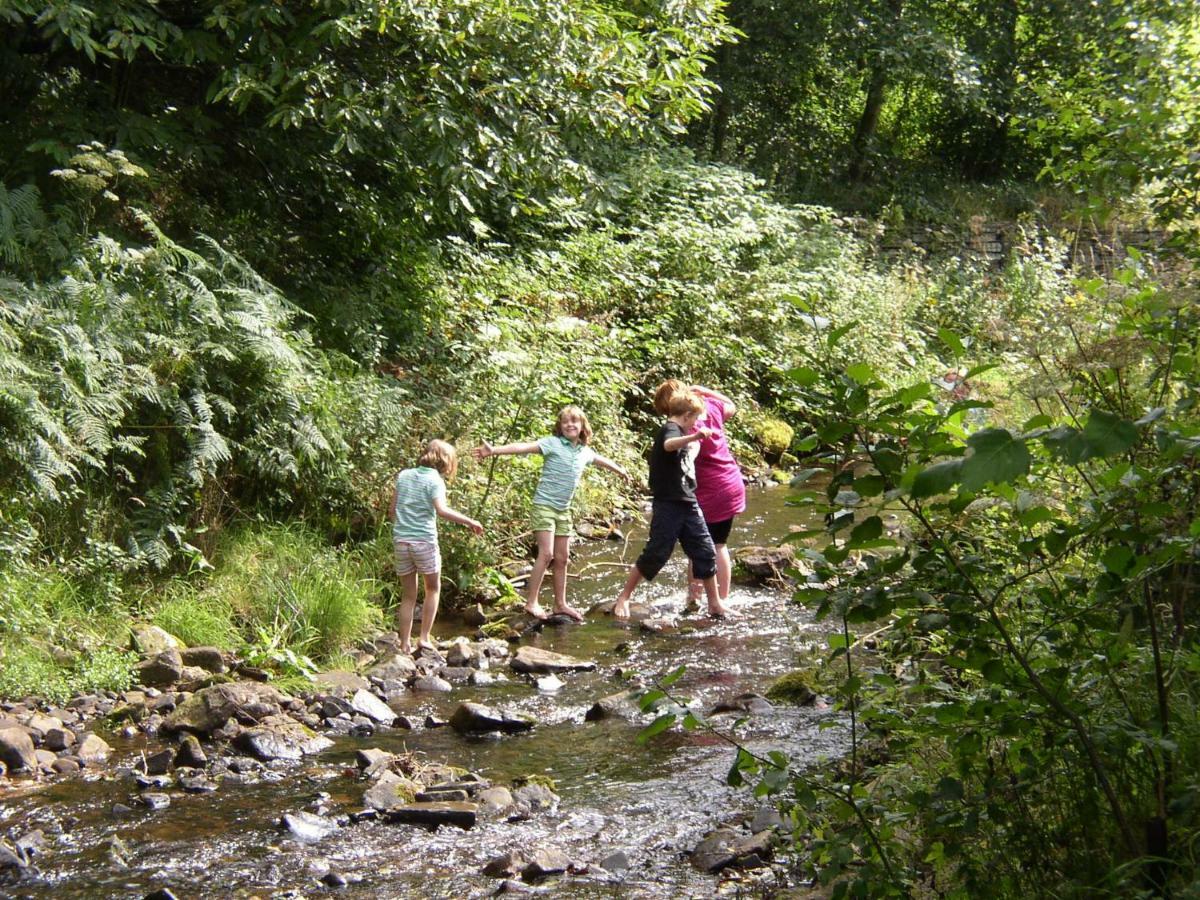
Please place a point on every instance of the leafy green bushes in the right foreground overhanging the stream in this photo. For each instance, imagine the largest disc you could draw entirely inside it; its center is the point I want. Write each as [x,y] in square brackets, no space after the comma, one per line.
[1029,715]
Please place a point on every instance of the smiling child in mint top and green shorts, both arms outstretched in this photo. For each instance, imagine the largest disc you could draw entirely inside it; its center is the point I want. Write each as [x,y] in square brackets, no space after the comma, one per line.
[566,455]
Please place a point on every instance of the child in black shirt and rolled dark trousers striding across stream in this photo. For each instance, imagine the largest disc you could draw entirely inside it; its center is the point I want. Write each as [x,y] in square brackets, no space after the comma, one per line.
[676,515]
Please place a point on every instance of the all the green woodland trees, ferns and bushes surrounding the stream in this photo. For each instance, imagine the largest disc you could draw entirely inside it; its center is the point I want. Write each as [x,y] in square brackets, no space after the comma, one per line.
[255,254]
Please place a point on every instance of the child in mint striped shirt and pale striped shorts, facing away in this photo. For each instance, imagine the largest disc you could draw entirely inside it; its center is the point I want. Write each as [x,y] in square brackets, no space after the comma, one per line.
[419,500]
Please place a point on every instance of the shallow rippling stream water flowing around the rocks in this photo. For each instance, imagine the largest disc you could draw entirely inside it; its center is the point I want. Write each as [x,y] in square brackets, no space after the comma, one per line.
[655,802]
